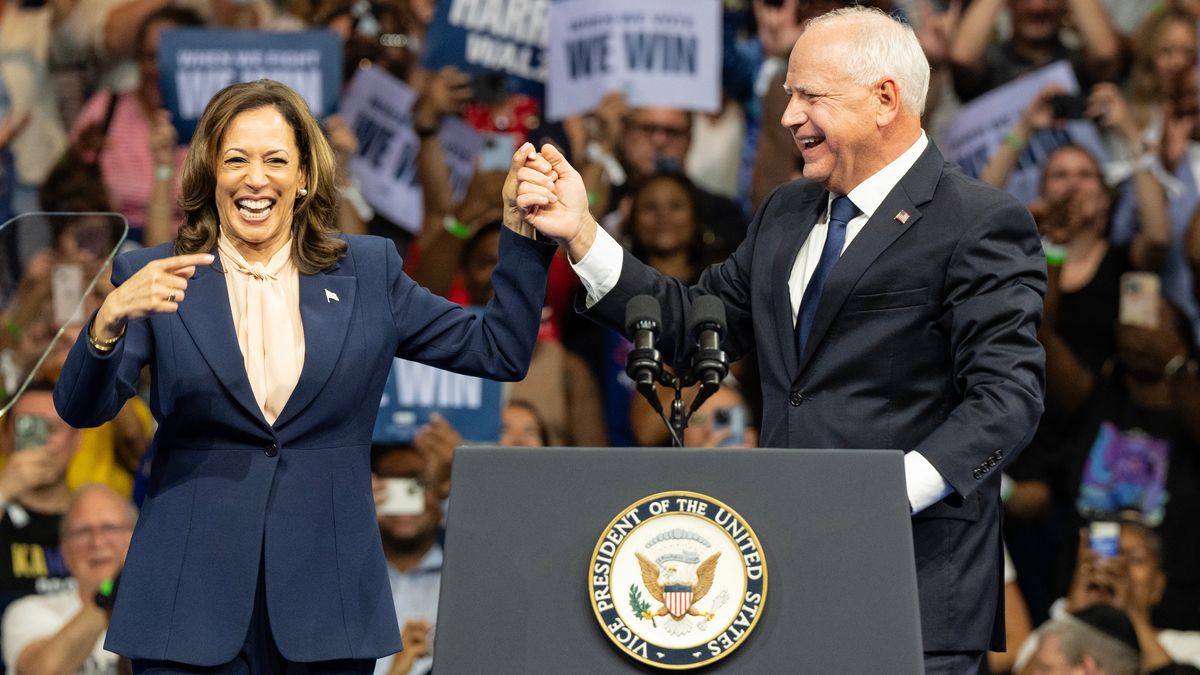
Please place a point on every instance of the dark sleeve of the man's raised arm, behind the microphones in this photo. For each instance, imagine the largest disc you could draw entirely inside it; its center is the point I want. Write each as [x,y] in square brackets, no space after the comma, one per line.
[729,280]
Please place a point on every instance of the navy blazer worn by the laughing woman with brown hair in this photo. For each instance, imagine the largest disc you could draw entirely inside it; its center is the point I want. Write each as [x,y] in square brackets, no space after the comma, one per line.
[226,486]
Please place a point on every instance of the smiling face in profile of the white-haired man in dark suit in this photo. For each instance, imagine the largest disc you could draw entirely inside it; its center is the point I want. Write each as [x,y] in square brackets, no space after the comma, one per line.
[835,122]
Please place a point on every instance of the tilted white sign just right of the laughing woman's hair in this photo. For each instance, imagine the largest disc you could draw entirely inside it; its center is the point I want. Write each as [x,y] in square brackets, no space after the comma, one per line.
[380,110]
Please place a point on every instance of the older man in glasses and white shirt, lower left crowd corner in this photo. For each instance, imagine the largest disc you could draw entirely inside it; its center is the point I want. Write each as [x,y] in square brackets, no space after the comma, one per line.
[64,632]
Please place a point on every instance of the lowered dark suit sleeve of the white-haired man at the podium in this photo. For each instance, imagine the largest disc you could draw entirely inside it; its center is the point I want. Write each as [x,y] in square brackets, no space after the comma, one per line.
[994,289]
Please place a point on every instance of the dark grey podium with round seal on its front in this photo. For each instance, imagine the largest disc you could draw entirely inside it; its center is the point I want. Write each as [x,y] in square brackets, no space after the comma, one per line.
[524,525]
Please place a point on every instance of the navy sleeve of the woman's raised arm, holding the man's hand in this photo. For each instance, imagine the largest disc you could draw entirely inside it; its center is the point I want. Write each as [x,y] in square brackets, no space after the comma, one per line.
[499,344]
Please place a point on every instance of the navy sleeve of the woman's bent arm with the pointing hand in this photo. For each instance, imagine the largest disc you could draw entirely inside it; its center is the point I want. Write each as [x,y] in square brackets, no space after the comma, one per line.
[94,385]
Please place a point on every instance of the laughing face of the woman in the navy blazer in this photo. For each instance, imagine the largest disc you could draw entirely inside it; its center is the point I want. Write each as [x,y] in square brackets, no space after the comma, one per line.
[259,178]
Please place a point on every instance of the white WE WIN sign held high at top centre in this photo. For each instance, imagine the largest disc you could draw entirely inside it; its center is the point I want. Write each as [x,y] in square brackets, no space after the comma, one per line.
[657,52]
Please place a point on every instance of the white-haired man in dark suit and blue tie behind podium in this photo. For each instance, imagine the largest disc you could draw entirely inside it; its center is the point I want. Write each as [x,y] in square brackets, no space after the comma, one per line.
[892,301]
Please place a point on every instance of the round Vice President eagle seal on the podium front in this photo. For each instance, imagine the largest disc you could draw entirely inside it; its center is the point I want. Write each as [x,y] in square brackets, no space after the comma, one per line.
[679,581]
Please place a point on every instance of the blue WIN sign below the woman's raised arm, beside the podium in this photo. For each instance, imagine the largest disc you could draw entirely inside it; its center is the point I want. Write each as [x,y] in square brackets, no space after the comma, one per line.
[415,391]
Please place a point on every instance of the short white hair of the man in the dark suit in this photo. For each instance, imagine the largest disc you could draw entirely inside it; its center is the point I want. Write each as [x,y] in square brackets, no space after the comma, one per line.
[884,47]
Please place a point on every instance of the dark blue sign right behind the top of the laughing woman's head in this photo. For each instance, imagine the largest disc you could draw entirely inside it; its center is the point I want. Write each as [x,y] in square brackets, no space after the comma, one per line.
[196,63]
